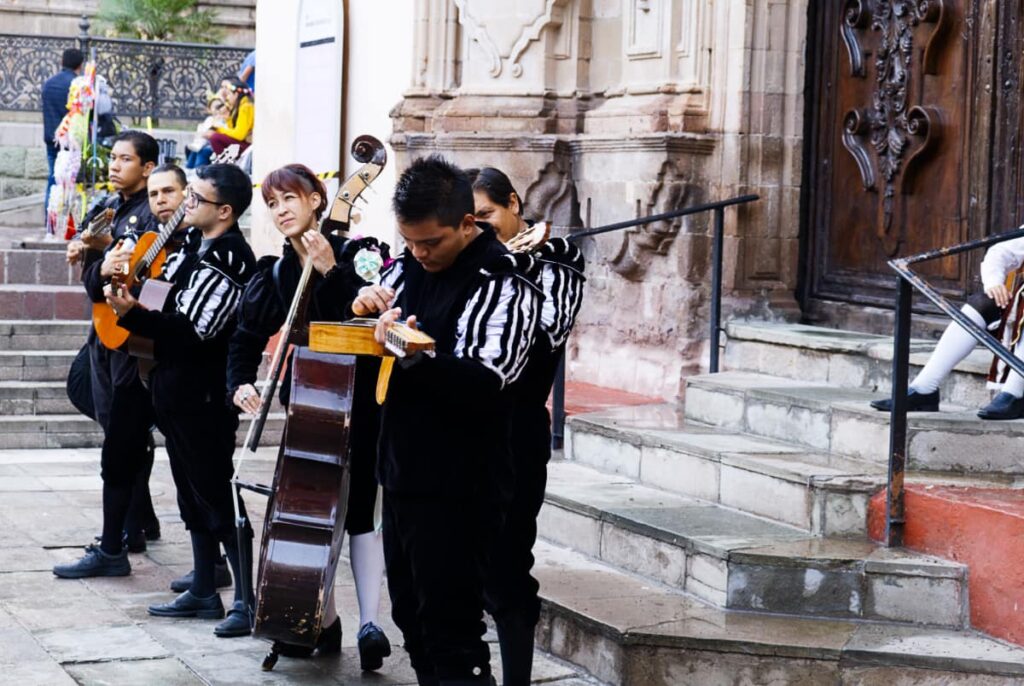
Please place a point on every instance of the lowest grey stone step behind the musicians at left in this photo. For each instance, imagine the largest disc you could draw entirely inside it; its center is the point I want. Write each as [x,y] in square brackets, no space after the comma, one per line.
[47,432]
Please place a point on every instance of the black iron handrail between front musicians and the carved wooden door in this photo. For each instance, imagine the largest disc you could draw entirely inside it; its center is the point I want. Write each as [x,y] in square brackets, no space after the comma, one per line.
[715,319]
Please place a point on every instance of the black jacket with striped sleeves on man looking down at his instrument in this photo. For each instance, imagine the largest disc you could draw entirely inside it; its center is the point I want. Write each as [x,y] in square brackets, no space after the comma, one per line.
[446,420]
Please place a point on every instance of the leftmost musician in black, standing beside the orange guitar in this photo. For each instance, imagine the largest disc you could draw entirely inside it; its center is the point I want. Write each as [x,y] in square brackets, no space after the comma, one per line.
[120,403]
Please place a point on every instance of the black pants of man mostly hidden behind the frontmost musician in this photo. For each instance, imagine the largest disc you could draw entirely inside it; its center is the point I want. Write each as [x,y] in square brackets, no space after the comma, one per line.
[509,588]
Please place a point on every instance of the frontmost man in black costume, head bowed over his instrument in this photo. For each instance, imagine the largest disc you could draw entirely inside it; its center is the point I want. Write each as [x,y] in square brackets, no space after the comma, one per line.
[445,461]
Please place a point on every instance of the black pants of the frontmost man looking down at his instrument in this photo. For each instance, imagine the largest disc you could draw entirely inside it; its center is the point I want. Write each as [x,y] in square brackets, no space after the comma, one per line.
[436,550]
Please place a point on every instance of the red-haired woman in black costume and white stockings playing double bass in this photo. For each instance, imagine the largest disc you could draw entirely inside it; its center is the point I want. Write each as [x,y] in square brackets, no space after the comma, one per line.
[296,199]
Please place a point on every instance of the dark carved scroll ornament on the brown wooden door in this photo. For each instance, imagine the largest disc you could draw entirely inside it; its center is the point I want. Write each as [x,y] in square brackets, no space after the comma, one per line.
[888,137]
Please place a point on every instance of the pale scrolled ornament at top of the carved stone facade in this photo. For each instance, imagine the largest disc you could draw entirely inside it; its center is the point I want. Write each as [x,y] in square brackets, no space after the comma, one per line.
[503,36]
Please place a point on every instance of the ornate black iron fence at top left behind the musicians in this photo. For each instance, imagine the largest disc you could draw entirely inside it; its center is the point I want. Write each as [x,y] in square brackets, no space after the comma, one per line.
[148,78]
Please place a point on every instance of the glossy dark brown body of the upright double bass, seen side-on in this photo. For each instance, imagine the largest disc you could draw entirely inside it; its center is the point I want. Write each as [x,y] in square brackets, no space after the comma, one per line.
[305,522]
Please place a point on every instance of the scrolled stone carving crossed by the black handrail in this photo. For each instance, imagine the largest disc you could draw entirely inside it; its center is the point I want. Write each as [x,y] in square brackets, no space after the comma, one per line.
[642,243]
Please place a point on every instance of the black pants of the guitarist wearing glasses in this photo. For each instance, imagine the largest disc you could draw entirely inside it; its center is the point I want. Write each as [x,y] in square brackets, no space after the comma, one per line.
[201,444]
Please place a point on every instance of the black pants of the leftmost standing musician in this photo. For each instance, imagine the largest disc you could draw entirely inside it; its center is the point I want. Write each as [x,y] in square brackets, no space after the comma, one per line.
[124,410]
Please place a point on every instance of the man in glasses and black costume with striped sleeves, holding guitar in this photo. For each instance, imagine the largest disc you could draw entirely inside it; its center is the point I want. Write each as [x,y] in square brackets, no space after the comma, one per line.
[191,337]
